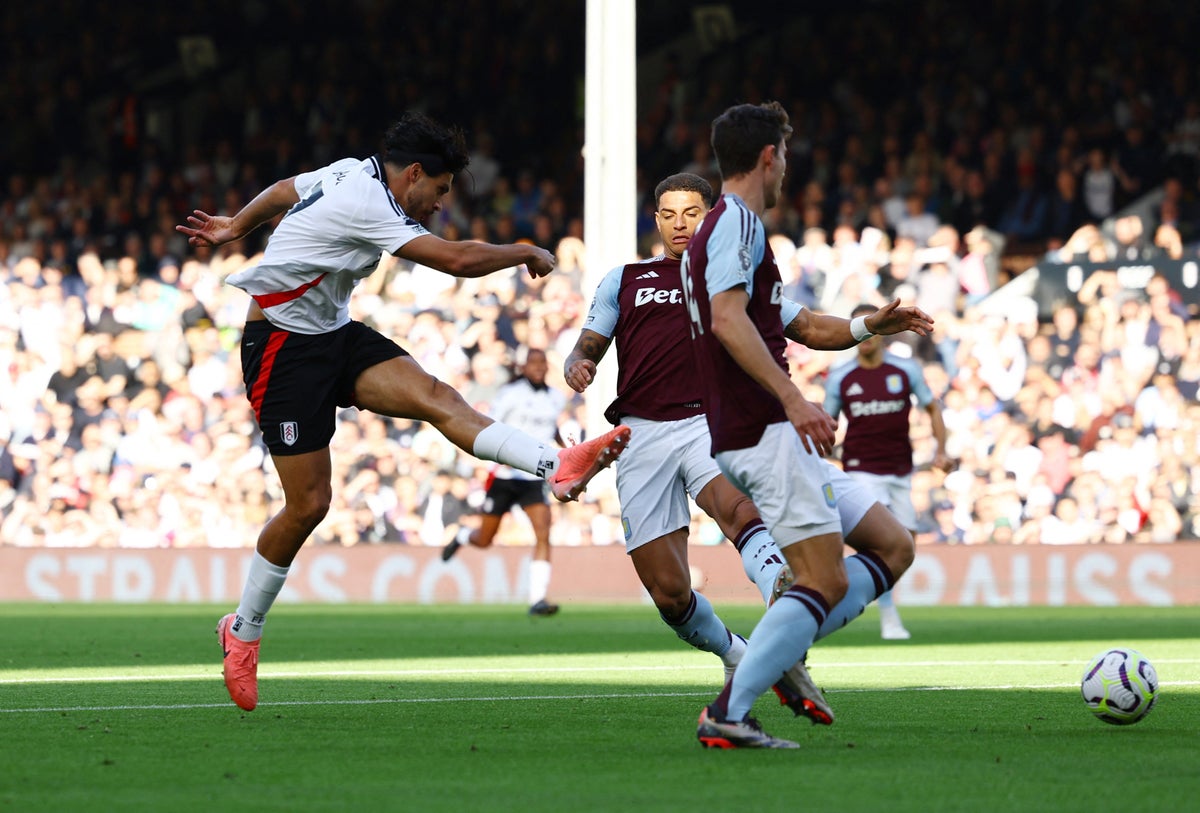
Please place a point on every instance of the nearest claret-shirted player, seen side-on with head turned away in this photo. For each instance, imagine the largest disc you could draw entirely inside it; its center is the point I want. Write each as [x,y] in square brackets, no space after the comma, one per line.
[767,438]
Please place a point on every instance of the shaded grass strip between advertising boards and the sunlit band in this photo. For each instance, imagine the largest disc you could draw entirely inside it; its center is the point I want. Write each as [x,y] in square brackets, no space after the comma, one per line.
[50,637]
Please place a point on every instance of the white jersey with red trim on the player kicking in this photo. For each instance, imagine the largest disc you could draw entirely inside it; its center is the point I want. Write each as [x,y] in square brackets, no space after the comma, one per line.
[326,245]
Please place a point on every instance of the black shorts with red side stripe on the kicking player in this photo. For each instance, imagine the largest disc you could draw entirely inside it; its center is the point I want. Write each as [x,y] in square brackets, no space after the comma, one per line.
[297,382]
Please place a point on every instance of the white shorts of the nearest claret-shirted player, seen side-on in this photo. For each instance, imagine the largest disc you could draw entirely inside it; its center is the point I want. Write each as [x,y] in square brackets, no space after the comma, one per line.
[799,493]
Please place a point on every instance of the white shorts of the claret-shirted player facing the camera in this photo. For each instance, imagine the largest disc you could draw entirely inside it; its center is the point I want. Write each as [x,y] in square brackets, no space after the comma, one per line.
[664,463]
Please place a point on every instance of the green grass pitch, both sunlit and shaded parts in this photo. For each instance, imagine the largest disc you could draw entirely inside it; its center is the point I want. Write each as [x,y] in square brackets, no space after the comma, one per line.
[466,709]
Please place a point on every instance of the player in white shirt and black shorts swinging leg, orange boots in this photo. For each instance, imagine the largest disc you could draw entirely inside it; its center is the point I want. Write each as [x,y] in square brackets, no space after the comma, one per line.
[303,357]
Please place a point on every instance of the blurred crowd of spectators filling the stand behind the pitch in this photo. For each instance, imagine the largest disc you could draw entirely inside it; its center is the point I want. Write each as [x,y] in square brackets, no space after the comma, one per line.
[921,168]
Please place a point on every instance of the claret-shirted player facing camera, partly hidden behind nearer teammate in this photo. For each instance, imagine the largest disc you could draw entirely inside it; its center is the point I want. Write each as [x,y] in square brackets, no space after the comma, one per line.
[640,308]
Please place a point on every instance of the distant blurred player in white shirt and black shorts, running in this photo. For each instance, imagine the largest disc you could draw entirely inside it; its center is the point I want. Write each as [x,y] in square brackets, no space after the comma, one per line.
[536,408]
